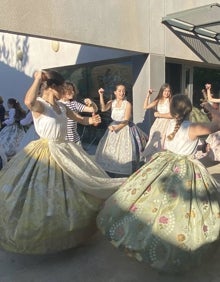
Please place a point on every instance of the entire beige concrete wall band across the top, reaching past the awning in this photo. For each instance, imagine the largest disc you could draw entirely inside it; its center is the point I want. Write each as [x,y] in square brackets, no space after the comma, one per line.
[133,25]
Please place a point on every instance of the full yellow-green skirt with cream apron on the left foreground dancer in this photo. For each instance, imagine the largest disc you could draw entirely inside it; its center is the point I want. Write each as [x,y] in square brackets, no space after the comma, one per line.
[50,194]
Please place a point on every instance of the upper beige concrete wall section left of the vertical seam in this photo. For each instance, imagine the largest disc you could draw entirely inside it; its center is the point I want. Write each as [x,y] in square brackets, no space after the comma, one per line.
[117,23]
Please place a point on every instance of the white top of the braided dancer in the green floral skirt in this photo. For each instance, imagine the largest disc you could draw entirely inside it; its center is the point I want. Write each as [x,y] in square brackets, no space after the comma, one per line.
[181,144]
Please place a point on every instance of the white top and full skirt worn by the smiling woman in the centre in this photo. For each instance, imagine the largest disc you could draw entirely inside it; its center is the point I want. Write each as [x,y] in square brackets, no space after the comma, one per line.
[119,152]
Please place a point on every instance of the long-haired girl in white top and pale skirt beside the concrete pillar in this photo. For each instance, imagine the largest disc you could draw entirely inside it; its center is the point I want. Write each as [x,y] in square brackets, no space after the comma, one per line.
[157,135]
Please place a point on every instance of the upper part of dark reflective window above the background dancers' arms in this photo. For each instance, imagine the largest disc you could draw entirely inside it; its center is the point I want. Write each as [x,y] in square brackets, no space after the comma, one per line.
[89,78]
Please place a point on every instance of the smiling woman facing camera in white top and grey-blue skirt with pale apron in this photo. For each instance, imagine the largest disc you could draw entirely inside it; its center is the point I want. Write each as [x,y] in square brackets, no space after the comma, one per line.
[118,151]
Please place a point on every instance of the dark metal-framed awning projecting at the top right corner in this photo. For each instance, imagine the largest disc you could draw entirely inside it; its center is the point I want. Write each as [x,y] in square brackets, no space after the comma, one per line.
[203,21]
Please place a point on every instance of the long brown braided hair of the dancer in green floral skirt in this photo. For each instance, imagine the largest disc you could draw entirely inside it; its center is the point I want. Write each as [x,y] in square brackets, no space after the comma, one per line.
[180,108]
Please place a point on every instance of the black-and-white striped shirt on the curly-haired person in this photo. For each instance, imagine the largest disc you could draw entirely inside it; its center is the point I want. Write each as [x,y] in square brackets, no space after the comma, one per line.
[72,134]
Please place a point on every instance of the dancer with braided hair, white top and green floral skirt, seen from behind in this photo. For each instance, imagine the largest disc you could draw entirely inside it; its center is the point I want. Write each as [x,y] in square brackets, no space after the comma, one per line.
[166,214]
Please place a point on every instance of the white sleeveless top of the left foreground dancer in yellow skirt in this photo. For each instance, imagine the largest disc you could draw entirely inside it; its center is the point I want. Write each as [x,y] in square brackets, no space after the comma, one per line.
[50,124]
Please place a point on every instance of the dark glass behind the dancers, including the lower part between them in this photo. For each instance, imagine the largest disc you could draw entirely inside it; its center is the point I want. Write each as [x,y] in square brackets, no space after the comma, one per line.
[88,79]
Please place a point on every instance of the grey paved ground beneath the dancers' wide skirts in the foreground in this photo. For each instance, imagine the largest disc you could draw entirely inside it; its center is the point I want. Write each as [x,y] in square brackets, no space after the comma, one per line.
[98,261]
